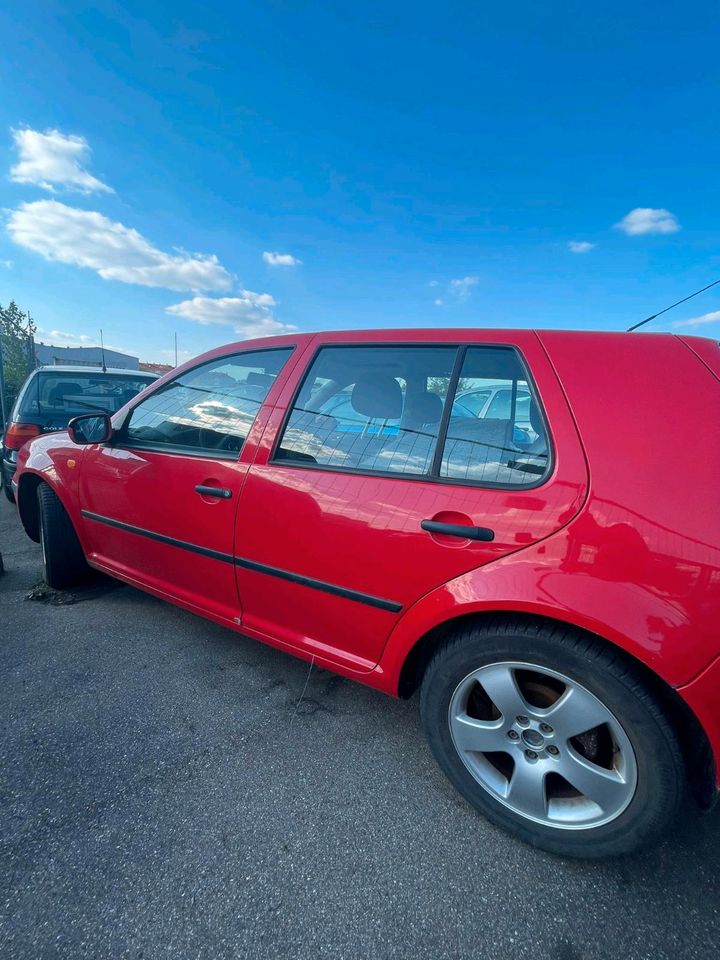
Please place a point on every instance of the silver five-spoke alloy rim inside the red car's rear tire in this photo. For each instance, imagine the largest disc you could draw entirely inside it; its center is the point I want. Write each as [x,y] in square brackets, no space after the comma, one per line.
[543,745]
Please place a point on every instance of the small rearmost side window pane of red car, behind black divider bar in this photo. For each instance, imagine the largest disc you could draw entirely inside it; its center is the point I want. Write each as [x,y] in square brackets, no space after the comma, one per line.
[505,443]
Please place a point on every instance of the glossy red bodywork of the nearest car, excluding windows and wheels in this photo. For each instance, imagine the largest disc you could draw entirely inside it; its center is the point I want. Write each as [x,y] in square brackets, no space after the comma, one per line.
[622,539]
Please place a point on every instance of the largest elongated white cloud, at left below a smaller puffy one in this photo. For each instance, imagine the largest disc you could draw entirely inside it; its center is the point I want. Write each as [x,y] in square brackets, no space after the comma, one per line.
[116,252]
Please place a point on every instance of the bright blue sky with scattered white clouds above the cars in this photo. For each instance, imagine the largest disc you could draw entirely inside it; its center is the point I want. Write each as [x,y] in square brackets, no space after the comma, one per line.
[413,164]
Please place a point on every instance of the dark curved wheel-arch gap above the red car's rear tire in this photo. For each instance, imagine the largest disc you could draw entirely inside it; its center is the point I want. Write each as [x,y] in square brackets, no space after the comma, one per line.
[698,754]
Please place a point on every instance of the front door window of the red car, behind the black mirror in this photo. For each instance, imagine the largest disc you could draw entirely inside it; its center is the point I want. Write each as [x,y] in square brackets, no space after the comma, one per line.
[209,409]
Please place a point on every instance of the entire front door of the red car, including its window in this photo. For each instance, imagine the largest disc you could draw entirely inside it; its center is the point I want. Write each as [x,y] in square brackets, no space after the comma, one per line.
[158,503]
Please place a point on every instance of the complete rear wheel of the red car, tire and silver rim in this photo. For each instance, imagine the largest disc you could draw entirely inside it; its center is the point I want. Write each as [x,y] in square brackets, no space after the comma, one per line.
[628,770]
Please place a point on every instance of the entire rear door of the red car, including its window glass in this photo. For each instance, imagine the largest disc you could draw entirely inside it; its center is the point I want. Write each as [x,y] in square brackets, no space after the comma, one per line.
[343,525]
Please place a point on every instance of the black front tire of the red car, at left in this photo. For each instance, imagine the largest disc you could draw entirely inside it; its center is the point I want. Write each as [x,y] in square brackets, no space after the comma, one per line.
[64,563]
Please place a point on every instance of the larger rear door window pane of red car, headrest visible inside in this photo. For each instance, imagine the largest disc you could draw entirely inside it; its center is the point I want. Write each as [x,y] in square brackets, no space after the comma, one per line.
[374,409]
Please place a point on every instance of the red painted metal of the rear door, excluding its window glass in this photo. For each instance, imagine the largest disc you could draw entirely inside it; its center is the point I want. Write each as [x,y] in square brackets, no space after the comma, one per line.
[363,532]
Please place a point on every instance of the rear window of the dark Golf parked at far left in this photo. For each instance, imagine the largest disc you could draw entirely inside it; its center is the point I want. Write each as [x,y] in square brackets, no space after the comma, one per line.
[52,399]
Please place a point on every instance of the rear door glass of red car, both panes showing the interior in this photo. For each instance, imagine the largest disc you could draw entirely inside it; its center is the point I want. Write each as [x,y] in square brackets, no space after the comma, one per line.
[407,387]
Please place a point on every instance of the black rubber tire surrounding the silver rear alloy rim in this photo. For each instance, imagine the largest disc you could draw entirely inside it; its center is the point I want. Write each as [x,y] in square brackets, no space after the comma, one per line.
[608,674]
